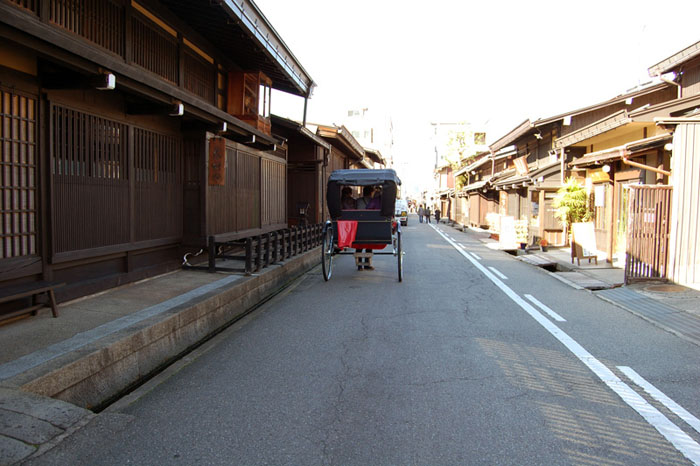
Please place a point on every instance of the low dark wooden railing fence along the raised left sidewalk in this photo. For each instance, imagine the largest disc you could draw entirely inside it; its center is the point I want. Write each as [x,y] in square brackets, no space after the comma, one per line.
[260,251]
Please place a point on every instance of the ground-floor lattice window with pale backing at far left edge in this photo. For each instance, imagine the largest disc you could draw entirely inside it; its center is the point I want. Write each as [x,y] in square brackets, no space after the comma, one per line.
[18,187]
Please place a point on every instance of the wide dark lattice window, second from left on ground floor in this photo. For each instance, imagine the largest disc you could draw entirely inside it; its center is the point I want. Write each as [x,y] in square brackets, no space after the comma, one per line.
[90,197]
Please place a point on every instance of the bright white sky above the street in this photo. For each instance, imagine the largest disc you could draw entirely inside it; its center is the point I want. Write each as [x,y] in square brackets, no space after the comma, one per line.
[491,63]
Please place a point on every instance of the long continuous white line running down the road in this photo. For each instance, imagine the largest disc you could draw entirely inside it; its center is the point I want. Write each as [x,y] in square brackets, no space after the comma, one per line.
[679,439]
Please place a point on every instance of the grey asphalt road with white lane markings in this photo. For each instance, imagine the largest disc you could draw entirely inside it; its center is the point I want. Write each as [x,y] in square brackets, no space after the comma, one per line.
[458,364]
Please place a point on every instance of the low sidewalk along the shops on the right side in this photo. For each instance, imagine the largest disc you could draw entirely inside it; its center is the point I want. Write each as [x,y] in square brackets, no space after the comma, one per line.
[672,307]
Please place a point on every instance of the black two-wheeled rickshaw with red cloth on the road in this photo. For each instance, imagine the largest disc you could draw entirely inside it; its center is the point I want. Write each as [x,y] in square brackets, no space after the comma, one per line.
[361,229]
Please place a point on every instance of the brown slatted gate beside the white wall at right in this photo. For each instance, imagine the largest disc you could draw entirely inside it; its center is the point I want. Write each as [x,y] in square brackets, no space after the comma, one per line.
[648,232]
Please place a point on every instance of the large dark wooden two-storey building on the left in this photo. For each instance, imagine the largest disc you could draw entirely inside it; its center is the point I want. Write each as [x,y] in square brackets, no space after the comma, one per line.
[122,143]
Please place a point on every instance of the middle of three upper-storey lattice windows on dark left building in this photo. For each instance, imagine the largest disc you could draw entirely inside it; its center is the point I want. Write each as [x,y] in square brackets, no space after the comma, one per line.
[154,49]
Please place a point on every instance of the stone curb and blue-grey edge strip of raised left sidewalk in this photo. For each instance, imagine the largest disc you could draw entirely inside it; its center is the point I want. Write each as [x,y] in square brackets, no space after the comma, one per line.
[97,365]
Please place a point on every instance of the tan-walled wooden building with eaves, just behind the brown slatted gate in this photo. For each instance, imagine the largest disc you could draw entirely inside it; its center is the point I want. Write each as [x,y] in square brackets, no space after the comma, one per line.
[622,149]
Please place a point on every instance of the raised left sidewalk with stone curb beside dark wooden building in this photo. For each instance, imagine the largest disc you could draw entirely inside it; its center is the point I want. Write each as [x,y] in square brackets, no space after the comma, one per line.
[54,370]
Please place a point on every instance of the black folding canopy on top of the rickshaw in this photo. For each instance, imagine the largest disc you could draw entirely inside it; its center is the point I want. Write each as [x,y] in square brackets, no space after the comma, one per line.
[386,178]
